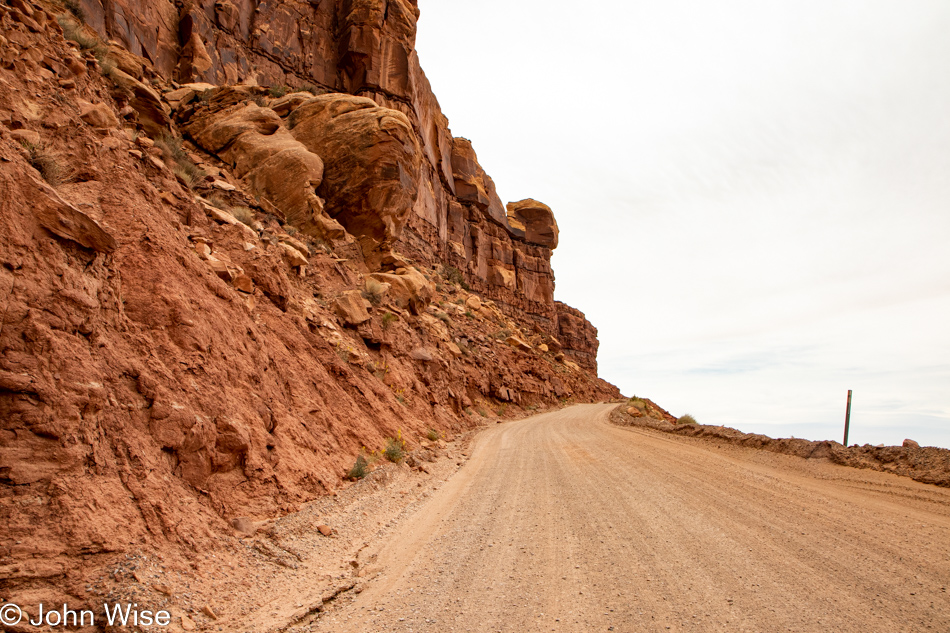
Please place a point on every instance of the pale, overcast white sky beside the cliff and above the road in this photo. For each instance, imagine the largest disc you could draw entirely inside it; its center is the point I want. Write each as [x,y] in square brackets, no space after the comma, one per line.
[753,195]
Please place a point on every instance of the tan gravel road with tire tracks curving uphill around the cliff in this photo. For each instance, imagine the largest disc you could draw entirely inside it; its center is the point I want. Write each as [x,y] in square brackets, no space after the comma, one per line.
[564,522]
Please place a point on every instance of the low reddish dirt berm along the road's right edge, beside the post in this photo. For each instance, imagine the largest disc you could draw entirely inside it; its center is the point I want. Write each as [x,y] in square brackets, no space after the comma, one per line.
[929,465]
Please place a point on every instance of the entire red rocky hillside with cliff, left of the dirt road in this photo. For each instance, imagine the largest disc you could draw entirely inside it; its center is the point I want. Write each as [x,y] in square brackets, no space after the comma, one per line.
[218,291]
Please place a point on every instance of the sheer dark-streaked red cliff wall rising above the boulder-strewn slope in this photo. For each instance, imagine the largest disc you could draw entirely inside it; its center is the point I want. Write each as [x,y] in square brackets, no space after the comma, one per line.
[364,48]
